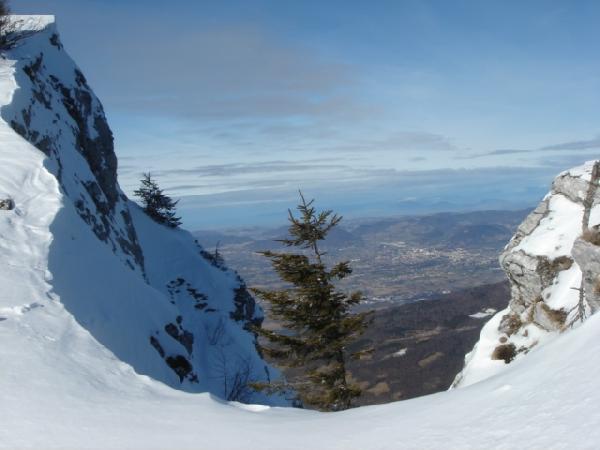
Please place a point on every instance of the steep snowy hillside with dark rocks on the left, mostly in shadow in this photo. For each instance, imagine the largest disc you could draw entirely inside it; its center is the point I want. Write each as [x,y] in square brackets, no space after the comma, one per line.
[79,253]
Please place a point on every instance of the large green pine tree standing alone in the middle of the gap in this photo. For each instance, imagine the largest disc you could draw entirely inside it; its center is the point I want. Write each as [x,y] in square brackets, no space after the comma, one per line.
[316,317]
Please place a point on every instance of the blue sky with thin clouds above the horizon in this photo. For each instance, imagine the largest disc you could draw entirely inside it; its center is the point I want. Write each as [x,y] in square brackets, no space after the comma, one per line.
[373,108]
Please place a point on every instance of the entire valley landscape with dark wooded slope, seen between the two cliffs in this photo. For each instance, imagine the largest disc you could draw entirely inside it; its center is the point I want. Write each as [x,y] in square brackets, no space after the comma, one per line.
[433,281]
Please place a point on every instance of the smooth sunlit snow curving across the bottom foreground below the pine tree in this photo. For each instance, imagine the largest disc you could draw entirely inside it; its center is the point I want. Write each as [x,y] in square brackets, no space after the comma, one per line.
[548,400]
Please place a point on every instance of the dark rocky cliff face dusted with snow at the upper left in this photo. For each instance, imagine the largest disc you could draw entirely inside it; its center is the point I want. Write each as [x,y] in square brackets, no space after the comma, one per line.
[56,111]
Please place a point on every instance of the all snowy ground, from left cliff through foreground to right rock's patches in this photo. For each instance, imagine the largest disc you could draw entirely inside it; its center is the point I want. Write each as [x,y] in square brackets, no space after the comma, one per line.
[111,325]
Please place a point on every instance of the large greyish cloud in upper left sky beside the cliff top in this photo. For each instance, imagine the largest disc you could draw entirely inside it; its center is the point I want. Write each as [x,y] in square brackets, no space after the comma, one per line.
[224,73]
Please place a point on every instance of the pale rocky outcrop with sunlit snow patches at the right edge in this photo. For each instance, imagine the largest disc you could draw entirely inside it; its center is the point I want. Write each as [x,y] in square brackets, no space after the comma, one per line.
[544,262]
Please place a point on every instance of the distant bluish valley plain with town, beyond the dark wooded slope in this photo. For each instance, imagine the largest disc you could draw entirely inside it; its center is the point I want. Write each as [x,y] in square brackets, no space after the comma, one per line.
[394,260]
